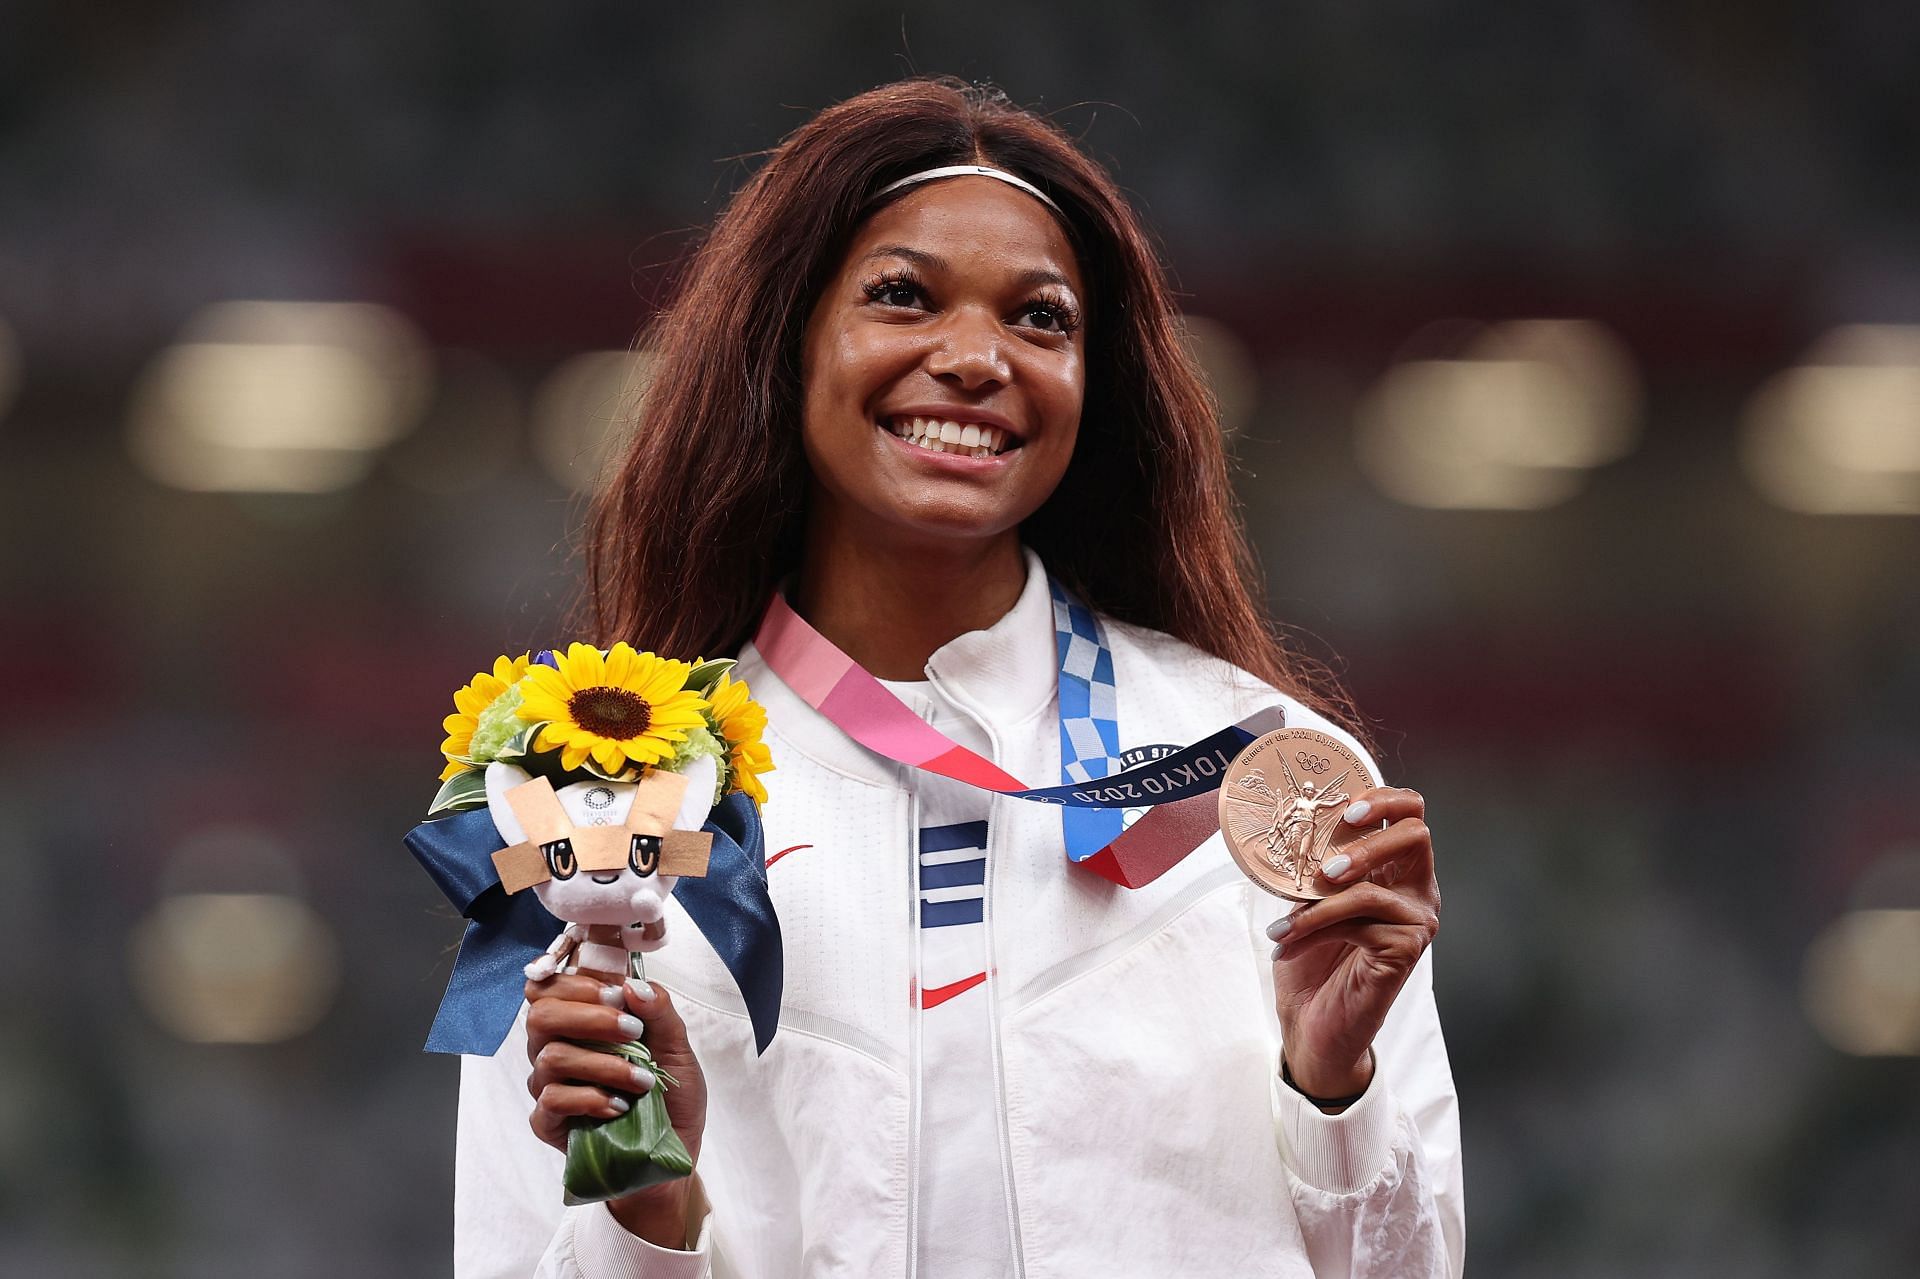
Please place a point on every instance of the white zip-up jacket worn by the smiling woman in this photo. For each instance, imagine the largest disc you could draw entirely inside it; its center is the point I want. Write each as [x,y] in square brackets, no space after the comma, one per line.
[1143,1122]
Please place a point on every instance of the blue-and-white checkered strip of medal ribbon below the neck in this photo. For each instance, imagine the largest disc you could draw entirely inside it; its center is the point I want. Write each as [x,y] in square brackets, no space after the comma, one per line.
[1090,721]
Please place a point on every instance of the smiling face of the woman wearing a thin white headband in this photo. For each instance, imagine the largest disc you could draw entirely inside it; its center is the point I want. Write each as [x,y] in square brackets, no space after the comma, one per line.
[953,322]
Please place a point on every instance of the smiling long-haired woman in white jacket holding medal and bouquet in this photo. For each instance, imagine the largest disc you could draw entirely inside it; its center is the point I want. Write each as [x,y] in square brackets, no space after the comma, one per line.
[928,370]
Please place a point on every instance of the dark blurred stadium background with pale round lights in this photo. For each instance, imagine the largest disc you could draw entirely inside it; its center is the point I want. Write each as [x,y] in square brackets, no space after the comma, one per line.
[1587,335]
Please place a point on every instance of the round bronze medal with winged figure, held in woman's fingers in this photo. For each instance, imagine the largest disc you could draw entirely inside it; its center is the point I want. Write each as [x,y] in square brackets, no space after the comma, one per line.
[1282,804]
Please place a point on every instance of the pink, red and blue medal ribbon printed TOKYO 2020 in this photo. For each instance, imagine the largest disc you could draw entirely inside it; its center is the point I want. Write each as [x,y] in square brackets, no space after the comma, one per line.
[1180,784]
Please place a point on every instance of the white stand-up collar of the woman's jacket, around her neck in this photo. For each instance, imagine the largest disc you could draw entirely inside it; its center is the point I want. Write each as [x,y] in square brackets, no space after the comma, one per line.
[1001,675]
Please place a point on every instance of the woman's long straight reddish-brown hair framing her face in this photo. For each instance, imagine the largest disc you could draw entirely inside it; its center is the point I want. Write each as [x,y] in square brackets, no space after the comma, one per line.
[706,512]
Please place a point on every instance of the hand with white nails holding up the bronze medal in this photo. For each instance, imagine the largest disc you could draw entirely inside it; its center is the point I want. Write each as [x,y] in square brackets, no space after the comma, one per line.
[1343,961]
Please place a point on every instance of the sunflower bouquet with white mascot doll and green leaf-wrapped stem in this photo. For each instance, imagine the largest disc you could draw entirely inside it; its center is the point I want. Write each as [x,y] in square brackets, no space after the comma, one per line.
[590,761]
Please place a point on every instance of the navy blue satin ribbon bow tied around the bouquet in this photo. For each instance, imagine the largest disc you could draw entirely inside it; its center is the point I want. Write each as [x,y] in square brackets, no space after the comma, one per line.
[731,905]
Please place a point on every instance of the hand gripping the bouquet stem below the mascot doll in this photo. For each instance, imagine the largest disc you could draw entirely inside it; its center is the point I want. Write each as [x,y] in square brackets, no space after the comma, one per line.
[571,1082]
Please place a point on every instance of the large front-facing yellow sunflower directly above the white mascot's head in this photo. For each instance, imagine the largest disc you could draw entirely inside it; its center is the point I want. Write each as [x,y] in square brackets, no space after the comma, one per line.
[617,710]
